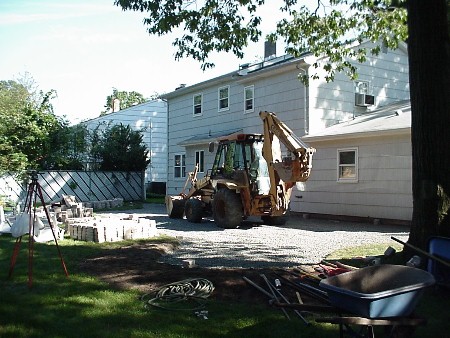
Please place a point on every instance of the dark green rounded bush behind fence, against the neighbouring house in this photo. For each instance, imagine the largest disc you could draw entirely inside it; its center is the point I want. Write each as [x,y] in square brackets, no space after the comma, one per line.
[118,147]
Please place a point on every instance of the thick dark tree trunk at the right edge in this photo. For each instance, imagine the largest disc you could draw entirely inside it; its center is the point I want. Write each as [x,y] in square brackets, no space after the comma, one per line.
[429,64]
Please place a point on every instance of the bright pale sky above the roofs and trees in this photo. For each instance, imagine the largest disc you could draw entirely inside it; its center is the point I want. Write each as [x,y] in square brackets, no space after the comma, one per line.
[85,48]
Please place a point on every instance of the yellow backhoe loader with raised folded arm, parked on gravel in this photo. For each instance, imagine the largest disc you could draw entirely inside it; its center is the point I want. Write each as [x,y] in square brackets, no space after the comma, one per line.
[252,175]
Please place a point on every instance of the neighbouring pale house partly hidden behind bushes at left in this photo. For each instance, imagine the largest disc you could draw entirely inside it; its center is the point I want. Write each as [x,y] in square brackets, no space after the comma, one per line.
[150,118]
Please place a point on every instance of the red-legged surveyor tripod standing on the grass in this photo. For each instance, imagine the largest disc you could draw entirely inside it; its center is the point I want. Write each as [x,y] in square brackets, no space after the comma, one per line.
[33,194]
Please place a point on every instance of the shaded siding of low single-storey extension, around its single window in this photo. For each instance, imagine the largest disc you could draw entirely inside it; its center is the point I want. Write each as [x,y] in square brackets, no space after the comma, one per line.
[383,189]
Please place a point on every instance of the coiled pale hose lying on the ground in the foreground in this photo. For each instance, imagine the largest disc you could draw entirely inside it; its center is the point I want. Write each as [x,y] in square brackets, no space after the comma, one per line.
[188,294]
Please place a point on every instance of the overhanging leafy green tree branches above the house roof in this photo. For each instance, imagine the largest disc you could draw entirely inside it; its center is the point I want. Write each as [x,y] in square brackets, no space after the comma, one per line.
[328,29]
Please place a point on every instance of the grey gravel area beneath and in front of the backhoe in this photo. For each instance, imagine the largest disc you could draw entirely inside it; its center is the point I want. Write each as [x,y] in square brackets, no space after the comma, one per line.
[300,241]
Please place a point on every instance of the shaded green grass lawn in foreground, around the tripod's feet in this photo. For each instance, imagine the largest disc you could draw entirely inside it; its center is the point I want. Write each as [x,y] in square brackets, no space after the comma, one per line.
[83,306]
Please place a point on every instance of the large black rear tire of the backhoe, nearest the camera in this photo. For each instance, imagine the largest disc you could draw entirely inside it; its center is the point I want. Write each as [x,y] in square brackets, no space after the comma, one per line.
[227,209]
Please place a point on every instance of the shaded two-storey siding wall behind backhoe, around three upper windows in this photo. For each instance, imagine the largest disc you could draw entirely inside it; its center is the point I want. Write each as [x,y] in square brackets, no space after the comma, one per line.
[281,93]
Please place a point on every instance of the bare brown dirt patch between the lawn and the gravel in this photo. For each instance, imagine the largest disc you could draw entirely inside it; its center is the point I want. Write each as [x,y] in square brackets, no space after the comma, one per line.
[136,267]
